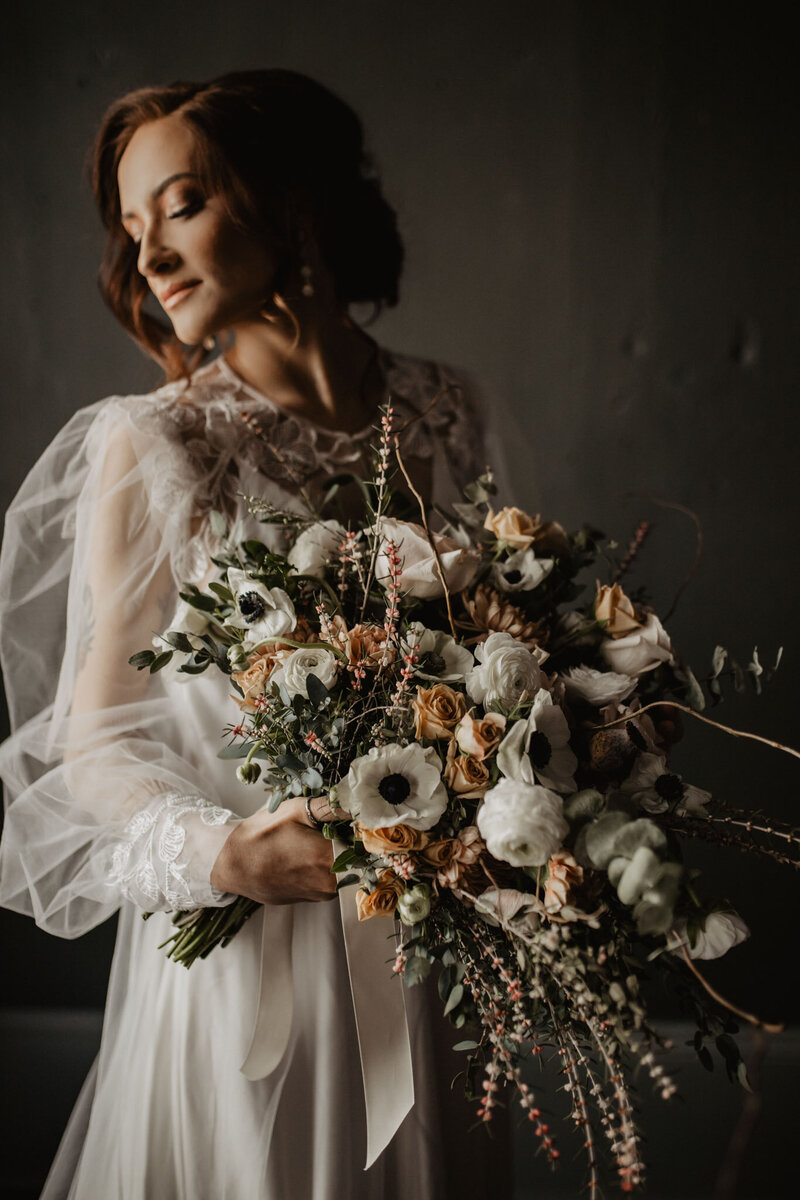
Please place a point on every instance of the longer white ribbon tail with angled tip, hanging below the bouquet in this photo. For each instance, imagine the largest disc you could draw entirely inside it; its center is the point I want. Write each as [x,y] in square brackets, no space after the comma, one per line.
[382,1025]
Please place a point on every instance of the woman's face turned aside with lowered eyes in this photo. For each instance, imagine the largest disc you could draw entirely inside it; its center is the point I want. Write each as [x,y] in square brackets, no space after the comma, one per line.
[207,274]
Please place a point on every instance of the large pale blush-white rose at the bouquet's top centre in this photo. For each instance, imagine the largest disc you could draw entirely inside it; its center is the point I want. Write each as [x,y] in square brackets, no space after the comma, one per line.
[419,573]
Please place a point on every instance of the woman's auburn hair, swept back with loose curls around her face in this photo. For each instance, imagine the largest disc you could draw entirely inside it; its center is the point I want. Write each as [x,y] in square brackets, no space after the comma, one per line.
[269,143]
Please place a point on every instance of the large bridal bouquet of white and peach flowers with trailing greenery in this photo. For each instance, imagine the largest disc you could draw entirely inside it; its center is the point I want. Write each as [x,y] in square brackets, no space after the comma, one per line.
[498,758]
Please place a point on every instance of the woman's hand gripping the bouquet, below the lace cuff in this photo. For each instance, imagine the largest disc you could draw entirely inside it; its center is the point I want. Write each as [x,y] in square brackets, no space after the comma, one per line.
[276,859]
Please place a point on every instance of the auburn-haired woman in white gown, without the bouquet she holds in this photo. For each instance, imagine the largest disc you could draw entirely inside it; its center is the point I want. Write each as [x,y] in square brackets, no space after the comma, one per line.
[248,209]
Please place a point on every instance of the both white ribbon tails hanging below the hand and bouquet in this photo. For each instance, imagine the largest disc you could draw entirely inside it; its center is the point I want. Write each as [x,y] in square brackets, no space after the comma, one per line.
[378,1007]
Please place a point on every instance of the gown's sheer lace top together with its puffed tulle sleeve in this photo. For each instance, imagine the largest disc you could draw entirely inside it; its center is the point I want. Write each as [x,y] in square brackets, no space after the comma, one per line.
[112,787]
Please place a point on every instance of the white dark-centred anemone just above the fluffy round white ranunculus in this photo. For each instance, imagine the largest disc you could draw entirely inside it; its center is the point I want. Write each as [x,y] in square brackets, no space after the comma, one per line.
[537,751]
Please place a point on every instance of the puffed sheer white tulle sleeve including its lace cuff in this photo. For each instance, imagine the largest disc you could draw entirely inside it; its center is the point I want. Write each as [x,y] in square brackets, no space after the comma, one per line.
[106,799]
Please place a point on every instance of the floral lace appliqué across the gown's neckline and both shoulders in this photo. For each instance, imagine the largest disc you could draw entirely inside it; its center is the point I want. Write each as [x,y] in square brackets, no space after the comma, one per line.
[220,457]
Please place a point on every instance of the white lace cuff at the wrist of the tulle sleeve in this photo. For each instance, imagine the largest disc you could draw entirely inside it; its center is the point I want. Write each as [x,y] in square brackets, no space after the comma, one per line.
[165,860]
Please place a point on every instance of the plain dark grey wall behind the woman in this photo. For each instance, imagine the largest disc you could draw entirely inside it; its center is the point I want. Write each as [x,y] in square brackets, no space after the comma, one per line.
[599,205]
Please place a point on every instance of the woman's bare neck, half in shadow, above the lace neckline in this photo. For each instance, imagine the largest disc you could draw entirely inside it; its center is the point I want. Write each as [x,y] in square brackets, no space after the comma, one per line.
[332,375]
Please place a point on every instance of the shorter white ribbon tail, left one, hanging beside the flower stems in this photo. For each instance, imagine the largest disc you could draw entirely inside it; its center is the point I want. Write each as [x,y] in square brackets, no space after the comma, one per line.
[275,995]
